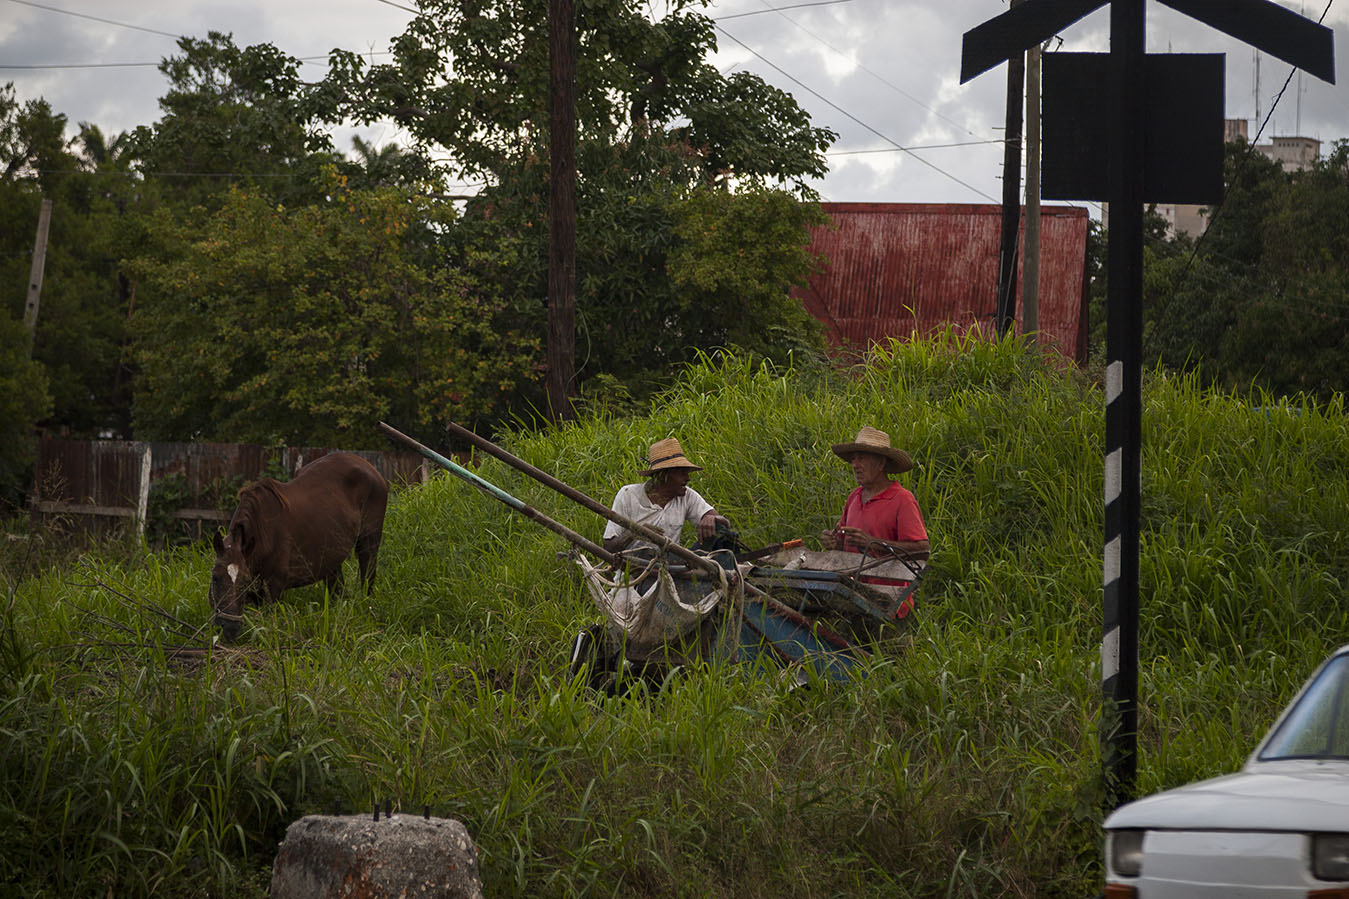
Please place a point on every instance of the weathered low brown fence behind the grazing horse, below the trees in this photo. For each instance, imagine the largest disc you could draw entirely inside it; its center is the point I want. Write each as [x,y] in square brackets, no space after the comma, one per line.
[180,488]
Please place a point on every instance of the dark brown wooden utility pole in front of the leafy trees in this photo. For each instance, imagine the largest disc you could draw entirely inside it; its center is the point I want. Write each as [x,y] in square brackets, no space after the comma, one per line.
[562,207]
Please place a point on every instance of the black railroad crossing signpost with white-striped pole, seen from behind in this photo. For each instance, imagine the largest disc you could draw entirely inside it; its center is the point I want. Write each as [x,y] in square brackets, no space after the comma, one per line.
[1106,121]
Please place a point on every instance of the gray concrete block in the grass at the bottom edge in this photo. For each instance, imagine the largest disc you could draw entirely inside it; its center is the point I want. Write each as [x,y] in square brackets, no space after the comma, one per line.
[358,858]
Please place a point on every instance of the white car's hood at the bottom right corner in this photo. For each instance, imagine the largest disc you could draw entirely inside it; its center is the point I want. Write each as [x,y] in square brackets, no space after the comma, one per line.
[1302,796]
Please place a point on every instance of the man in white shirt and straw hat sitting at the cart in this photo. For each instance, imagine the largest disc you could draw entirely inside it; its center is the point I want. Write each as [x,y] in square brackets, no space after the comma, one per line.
[664,503]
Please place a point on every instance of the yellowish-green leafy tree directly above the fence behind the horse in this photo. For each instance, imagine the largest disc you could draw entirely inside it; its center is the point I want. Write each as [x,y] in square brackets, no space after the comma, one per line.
[311,325]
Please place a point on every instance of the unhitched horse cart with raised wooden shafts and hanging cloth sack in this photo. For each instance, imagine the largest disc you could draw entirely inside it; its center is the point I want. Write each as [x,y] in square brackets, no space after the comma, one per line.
[784,605]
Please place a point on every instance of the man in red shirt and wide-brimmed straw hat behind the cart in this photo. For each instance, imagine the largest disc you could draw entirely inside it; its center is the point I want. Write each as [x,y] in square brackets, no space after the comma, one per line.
[880,515]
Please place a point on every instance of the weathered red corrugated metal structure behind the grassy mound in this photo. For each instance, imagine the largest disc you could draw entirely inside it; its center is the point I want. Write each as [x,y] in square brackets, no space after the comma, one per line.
[894,269]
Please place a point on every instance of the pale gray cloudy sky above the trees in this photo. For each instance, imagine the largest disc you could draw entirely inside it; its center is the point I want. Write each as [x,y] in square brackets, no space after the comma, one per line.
[882,74]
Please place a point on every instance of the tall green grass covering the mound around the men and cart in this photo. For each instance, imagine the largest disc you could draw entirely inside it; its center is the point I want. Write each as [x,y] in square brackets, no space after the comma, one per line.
[963,763]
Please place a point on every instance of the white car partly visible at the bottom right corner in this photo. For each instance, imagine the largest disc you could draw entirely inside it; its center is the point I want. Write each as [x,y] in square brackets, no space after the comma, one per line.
[1278,828]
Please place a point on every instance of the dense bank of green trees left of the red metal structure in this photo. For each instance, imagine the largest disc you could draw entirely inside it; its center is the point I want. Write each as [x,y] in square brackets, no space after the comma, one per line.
[226,273]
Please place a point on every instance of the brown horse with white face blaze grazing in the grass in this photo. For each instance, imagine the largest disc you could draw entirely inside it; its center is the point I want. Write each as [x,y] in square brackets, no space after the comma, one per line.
[293,535]
